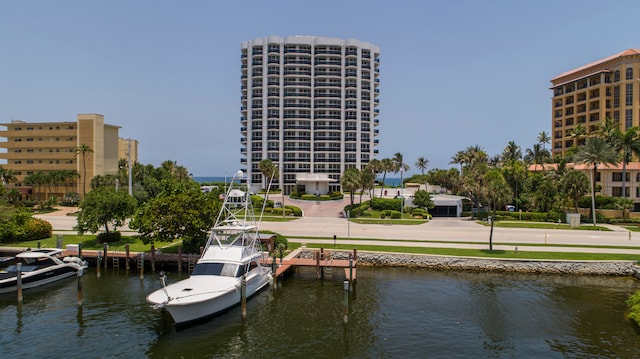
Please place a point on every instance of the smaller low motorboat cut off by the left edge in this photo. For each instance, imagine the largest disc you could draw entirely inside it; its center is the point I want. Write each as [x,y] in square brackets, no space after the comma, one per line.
[39,267]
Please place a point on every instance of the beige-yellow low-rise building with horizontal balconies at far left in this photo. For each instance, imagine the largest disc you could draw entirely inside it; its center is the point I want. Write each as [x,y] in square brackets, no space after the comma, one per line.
[30,148]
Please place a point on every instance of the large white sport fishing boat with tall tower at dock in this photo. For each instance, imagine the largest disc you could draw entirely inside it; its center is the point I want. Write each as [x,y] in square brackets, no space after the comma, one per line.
[232,258]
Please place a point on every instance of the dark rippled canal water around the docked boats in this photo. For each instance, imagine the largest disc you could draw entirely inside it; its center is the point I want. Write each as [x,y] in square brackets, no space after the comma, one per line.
[391,313]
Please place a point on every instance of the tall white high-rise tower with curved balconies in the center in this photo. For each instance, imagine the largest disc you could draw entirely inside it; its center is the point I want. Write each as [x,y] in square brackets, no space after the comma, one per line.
[309,104]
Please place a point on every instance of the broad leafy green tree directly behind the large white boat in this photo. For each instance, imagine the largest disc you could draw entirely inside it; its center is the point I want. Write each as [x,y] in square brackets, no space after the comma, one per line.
[180,210]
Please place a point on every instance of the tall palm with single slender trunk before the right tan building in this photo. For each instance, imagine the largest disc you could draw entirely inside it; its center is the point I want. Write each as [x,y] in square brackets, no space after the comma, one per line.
[594,152]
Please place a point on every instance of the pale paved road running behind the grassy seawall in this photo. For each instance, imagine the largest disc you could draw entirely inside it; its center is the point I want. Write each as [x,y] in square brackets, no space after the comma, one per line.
[448,232]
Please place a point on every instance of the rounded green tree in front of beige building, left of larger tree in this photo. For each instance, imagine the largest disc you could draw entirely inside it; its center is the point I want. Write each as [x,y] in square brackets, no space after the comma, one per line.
[104,207]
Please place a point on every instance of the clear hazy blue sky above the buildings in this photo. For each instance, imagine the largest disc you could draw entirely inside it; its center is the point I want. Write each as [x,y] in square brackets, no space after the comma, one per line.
[453,73]
